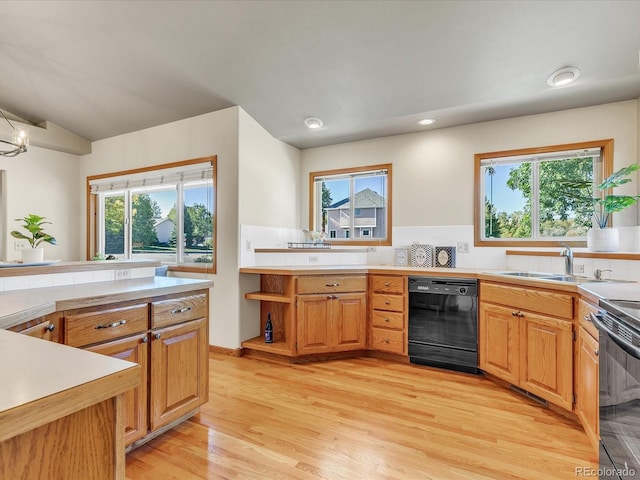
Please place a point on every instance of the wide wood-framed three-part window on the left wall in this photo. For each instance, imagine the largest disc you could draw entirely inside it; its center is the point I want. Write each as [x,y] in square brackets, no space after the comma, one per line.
[164,213]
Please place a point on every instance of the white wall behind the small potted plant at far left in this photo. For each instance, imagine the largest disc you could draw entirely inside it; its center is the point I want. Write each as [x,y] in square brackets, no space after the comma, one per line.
[46,183]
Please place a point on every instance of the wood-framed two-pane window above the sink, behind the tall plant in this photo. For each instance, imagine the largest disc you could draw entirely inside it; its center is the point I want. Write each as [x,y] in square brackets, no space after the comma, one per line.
[522,195]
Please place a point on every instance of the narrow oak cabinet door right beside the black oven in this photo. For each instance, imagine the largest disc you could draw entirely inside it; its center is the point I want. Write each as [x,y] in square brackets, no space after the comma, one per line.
[587,385]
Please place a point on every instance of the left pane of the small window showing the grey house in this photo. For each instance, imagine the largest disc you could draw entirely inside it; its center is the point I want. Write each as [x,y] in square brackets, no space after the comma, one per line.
[335,210]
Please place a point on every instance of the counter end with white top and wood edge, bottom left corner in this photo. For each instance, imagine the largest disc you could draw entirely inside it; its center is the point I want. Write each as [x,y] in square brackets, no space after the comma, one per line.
[61,410]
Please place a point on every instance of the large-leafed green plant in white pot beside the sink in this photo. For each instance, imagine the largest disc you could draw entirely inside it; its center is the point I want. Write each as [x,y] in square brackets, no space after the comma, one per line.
[601,205]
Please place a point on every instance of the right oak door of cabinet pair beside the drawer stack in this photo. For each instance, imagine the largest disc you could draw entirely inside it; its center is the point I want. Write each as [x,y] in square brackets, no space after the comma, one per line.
[349,324]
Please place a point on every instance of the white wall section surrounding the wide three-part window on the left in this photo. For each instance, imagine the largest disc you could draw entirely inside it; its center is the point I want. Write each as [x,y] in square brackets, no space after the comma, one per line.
[205,135]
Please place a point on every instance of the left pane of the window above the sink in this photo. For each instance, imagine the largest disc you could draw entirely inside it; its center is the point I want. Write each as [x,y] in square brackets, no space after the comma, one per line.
[507,190]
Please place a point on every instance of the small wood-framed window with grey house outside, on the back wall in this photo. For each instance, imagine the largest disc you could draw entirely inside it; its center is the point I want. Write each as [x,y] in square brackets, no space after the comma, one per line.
[352,206]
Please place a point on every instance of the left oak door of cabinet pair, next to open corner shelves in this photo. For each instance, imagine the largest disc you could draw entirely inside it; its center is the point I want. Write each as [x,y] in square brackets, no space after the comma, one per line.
[314,324]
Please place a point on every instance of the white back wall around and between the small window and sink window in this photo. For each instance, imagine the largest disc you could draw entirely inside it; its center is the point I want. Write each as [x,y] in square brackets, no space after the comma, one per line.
[433,171]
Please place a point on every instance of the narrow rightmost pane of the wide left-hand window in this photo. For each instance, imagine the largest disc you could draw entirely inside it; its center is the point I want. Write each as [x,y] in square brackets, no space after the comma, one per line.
[198,224]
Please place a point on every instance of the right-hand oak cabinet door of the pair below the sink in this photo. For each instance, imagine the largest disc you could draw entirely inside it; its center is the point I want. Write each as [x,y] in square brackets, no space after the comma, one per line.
[546,363]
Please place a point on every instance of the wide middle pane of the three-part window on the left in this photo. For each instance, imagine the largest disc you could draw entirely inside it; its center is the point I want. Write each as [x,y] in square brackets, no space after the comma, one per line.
[152,225]
